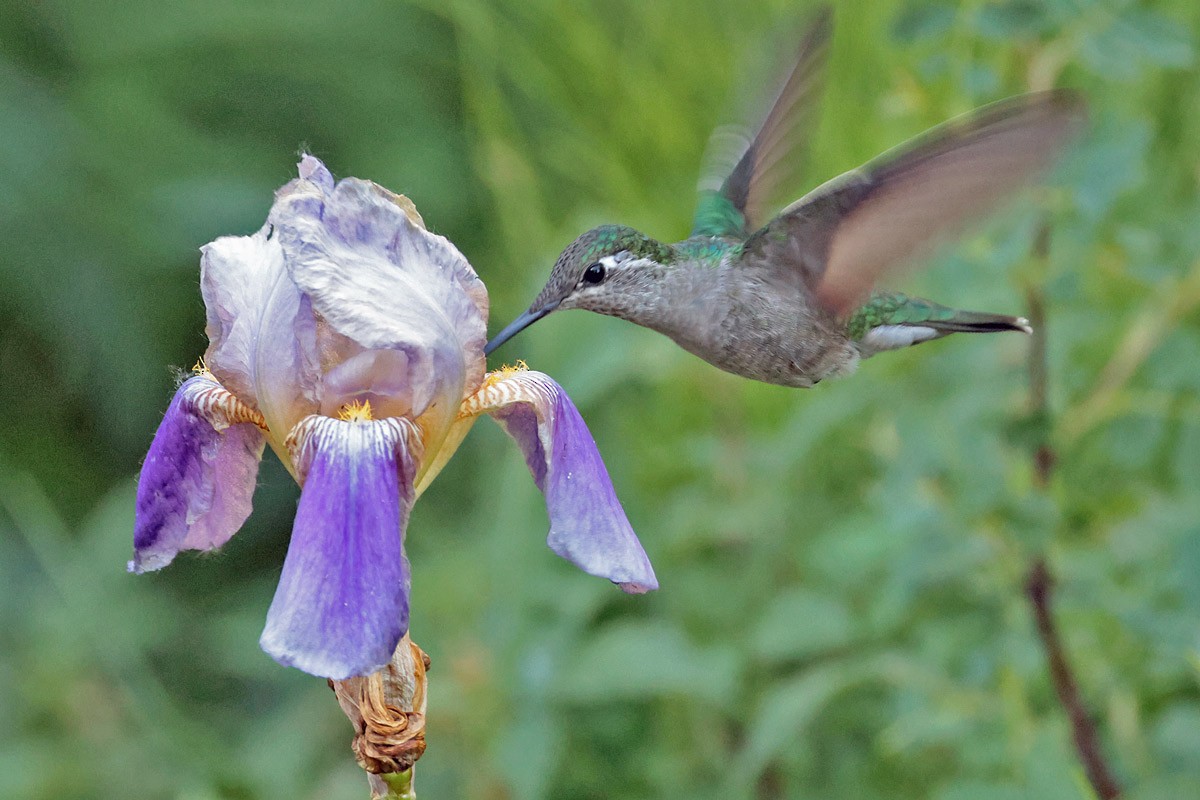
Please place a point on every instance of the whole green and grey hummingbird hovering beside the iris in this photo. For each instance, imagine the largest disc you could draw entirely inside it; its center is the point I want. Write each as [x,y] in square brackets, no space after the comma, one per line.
[789,300]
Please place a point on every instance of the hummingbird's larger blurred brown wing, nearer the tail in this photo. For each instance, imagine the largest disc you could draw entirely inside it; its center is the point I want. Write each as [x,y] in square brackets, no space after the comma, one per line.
[848,233]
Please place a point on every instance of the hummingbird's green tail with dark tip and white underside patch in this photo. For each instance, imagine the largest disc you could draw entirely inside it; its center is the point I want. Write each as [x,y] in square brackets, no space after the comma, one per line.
[892,321]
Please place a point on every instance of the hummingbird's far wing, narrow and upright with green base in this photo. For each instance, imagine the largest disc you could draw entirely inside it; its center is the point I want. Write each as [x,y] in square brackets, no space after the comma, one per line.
[771,161]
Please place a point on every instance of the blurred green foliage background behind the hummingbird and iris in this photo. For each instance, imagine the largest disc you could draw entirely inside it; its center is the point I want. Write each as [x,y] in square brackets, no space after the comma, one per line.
[842,612]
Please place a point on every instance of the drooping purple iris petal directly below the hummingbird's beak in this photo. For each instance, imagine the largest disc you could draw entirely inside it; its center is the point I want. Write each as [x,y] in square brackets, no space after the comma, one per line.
[587,525]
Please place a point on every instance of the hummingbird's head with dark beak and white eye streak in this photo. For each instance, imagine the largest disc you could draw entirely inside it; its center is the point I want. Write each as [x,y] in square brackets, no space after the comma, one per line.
[604,270]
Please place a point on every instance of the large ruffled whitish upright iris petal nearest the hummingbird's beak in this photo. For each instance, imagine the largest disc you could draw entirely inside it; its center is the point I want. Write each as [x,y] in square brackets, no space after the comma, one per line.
[382,282]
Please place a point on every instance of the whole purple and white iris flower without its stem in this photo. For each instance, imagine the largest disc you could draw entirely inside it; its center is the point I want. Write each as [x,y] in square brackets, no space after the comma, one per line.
[351,340]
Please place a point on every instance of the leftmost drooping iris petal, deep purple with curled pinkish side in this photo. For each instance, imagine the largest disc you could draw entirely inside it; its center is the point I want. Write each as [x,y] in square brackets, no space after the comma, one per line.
[197,482]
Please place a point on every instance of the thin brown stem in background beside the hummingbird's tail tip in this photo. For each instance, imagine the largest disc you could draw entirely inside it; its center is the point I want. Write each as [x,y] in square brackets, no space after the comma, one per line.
[1040,585]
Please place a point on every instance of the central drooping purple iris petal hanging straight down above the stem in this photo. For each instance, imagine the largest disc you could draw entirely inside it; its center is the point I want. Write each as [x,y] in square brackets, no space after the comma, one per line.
[343,603]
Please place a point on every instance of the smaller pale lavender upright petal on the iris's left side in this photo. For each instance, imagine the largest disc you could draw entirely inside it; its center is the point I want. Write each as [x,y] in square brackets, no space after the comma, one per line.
[262,332]
